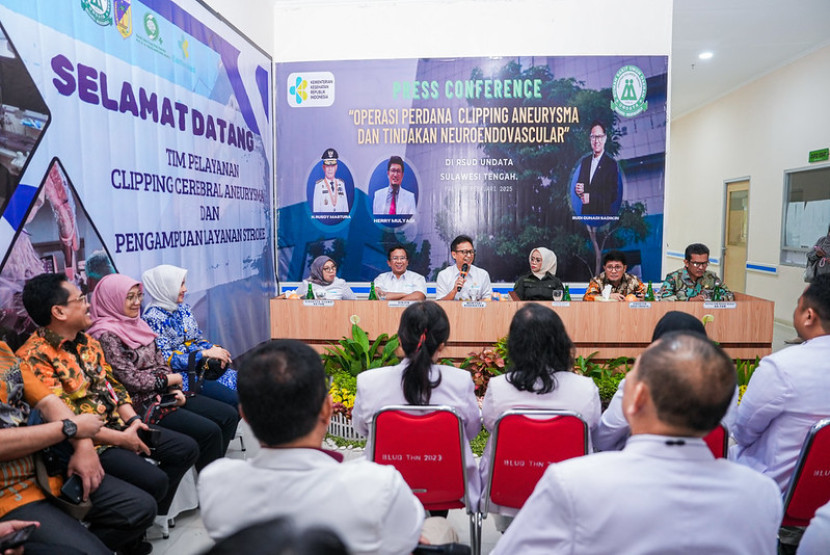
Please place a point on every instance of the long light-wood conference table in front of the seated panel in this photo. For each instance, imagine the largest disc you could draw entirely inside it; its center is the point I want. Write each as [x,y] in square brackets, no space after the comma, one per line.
[742,327]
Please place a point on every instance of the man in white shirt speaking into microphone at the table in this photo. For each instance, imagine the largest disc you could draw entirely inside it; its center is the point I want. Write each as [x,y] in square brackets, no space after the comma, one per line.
[463,281]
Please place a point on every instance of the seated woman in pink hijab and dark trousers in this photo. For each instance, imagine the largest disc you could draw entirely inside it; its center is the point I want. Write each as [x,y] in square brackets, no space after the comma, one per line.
[130,349]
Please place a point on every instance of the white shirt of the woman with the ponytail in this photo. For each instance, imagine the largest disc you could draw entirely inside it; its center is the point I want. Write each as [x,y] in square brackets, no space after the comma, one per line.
[380,387]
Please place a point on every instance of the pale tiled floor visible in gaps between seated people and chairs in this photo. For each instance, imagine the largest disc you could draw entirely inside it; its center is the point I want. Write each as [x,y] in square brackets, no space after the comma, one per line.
[190,538]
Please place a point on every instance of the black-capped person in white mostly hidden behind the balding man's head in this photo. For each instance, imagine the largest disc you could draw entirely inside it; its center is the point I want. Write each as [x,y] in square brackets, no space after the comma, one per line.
[613,429]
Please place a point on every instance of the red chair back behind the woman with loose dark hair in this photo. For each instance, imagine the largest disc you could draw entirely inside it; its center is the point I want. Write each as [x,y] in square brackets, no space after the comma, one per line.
[525,443]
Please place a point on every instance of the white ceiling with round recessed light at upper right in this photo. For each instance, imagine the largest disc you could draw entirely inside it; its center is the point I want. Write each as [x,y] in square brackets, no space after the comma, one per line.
[749,38]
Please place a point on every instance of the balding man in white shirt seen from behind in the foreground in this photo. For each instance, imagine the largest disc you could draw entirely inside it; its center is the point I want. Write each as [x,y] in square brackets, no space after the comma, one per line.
[665,492]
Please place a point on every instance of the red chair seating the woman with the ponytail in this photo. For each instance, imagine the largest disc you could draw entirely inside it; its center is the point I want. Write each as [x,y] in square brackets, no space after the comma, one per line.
[426,444]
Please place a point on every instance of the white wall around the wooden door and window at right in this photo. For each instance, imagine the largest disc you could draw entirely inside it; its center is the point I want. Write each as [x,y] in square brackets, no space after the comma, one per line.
[758,131]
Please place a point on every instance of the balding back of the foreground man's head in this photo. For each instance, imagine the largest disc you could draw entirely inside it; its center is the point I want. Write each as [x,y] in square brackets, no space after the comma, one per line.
[691,380]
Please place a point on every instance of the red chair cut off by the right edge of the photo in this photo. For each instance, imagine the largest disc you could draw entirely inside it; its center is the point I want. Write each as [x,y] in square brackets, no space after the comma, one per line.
[810,485]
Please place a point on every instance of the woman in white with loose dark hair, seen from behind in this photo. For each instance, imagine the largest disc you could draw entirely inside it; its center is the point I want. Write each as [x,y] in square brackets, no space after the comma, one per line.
[540,376]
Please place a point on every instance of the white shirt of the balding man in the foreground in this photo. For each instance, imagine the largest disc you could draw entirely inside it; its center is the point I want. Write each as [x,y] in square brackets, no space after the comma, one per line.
[649,498]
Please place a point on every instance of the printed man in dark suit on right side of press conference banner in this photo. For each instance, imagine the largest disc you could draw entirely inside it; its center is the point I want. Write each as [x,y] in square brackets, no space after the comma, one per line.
[596,185]
